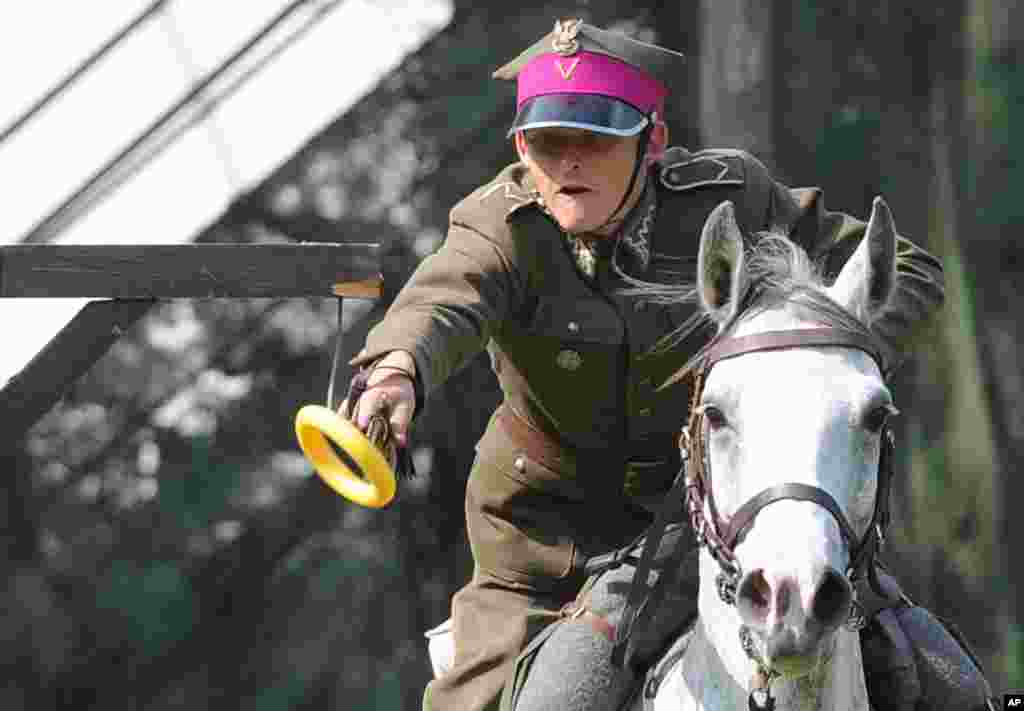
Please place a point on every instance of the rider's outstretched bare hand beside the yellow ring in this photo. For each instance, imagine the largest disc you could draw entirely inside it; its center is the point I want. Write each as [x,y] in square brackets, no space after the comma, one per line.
[391,393]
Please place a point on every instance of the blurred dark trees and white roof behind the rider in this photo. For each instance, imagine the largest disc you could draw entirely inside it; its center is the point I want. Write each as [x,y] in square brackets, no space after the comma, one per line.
[165,545]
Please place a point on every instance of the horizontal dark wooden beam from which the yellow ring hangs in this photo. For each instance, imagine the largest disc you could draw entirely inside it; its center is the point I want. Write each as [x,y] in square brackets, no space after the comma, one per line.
[203,271]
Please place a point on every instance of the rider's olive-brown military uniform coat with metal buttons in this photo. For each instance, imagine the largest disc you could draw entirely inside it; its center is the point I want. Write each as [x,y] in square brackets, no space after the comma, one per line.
[573,354]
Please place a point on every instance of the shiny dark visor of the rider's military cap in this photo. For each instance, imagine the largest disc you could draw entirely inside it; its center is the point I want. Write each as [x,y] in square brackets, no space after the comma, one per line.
[590,112]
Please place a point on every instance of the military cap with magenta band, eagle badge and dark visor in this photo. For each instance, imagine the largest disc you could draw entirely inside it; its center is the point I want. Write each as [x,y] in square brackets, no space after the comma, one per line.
[580,76]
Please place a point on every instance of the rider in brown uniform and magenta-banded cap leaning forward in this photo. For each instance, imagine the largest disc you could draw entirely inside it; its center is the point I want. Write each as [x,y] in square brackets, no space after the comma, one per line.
[537,269]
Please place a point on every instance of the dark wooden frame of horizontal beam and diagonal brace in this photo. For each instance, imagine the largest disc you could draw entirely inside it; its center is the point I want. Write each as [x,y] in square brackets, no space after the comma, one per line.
[134,278]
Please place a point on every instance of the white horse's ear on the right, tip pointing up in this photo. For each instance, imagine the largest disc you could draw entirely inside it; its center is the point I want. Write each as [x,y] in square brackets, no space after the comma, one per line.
[869,278]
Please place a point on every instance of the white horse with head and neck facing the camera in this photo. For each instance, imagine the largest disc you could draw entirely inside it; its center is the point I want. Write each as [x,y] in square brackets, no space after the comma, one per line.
[809,415]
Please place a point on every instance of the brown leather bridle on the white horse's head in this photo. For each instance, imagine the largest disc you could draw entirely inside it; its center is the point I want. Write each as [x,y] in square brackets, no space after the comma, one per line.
[721,538]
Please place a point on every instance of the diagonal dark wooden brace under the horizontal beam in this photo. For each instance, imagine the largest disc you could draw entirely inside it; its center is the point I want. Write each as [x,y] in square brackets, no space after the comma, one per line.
[28,396]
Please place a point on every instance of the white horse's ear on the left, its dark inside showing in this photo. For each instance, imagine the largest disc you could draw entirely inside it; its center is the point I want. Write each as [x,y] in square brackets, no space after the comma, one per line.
[721,272]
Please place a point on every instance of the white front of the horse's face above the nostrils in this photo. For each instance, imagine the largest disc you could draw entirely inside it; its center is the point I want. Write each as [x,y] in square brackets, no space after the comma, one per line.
[795,416]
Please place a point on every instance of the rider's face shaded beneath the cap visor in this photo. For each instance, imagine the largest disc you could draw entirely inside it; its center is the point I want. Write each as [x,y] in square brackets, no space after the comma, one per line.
[581,176]
